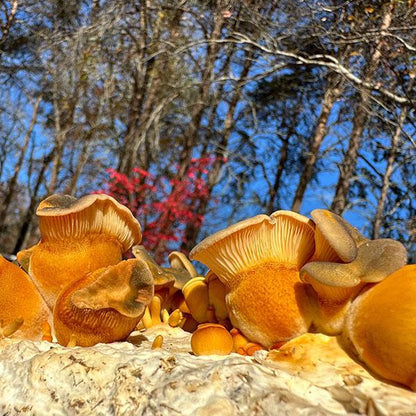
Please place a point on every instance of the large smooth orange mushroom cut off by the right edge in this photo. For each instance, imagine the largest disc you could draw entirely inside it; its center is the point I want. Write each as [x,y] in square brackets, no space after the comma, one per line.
[380,327]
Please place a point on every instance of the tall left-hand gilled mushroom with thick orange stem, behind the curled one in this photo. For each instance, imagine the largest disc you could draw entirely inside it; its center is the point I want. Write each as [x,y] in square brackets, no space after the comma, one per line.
[77,236]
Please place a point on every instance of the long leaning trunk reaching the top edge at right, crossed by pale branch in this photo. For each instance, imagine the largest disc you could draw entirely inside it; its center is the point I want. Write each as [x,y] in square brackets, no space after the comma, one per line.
[349,163]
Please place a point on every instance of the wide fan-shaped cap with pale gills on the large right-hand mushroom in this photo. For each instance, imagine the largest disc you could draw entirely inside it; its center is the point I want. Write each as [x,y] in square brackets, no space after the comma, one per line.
[284,237]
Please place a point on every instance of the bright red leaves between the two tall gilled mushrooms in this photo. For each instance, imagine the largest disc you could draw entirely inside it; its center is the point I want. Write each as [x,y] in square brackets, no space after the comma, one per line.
[163,206]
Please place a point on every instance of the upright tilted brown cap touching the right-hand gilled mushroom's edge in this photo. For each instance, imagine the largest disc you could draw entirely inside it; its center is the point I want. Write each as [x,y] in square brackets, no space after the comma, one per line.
[333,240]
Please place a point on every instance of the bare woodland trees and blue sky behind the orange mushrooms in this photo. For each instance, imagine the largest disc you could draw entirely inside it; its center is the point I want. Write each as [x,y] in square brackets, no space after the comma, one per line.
[298,105]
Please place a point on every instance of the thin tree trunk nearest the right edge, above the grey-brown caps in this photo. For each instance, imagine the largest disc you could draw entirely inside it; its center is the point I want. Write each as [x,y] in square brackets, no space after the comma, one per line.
[378,220]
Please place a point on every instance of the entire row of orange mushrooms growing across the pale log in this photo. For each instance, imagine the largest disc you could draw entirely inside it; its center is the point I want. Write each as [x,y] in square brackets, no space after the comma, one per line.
[270,280]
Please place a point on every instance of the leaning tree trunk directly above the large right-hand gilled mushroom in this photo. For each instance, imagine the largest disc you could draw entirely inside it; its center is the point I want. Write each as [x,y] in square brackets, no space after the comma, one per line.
[332,93]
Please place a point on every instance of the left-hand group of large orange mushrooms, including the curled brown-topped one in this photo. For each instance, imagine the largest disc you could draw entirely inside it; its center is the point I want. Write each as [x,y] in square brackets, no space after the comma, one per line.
[82,281]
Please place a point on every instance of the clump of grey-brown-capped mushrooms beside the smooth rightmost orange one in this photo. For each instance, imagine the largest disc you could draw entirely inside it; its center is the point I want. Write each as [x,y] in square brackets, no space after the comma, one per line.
[343,263]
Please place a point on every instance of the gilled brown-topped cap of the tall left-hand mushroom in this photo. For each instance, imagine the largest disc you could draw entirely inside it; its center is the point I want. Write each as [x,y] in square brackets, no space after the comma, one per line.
[63,216]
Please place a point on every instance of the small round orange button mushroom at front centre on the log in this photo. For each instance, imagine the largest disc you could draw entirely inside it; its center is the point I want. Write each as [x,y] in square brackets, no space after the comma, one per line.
[211,339]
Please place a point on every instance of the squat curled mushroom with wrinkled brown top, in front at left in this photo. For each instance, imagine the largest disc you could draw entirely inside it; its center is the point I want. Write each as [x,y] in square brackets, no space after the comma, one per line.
[104,305]
